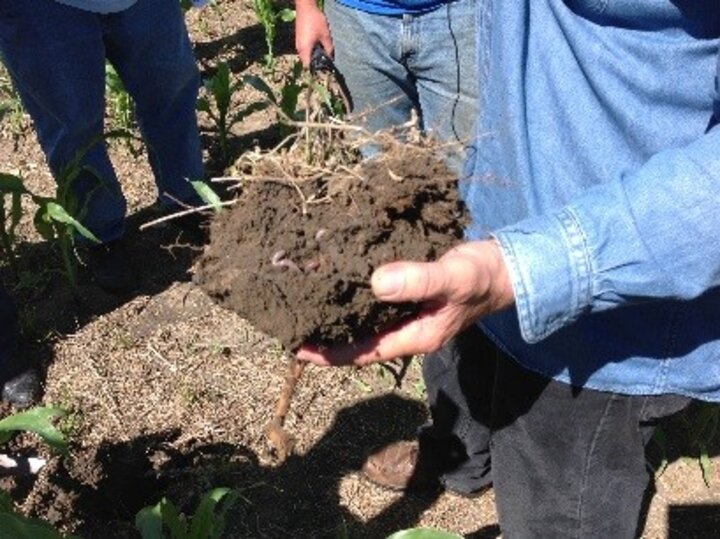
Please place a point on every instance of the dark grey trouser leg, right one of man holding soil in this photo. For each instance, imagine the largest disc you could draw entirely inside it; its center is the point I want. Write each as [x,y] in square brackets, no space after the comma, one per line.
[569,462]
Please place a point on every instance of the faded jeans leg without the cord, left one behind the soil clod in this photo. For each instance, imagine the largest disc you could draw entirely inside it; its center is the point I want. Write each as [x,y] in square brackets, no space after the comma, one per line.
[368,53]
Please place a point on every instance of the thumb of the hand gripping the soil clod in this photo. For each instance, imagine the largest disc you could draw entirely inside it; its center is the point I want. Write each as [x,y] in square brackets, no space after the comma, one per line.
[409,281]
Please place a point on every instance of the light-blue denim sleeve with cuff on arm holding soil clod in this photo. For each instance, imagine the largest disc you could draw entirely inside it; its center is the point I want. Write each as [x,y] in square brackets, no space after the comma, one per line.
[651,234]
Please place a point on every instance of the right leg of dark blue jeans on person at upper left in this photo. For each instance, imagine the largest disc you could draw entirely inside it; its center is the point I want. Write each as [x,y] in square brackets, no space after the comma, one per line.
[149,46]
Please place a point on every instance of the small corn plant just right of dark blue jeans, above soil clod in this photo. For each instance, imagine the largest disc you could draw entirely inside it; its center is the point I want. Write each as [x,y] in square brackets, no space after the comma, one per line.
[220,90]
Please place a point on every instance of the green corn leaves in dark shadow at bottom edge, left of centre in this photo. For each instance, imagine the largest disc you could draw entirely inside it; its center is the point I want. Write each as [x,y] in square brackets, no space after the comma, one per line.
[164,520]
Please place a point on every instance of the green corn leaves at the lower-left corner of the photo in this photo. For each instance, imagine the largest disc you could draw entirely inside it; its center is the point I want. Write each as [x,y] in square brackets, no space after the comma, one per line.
[39,421]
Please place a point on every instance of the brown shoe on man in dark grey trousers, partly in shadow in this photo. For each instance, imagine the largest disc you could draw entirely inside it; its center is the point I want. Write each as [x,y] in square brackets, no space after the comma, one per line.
[399,466]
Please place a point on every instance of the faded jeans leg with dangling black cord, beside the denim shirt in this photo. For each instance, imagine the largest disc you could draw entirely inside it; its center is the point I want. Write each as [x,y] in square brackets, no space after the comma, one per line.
[445,66]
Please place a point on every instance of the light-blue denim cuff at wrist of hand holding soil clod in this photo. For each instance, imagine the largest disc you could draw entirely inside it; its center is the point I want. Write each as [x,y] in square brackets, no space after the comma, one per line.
[549,265]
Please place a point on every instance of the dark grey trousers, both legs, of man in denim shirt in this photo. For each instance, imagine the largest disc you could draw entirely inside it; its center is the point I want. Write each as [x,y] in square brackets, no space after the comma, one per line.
[563,461]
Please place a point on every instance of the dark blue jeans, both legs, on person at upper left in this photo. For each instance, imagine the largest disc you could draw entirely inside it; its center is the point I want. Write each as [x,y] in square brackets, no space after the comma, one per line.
[56,56]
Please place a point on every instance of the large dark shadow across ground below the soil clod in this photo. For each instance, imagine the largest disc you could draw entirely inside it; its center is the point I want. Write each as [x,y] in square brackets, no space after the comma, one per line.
[299,498]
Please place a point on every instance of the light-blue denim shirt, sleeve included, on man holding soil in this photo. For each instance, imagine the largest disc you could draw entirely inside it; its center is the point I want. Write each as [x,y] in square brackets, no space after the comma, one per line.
[597,167]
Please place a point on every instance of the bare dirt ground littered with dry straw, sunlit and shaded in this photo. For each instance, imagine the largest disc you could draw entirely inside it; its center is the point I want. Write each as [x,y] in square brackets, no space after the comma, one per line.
[170,393]
